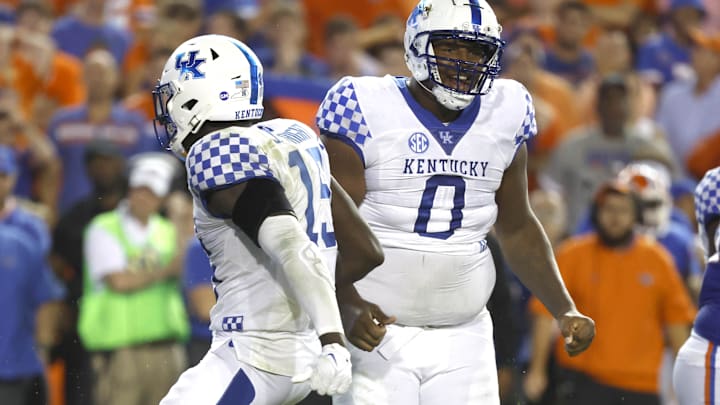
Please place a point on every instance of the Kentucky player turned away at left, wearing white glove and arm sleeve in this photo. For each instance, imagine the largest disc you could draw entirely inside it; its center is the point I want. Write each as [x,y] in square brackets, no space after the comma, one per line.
[262,212]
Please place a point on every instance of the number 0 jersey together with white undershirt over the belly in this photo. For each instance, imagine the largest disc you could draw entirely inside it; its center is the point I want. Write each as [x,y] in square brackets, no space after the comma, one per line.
[430,189]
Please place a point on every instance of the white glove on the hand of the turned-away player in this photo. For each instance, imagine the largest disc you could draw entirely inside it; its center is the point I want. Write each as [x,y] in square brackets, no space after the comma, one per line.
[331,374]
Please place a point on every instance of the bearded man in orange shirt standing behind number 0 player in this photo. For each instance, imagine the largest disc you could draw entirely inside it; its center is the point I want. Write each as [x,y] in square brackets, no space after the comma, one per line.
[627,283]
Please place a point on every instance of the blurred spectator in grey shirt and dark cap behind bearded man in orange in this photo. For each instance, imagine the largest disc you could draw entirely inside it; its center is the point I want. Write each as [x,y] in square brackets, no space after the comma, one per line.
[594,154]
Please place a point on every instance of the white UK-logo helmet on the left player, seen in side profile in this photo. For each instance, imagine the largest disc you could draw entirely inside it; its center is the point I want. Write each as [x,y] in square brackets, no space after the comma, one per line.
[207,78]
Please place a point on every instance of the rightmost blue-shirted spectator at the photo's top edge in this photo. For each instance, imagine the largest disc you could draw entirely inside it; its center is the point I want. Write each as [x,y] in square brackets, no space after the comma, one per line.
[666,56]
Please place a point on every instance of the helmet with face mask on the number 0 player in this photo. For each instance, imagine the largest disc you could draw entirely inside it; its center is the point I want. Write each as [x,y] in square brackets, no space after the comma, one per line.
[456,80]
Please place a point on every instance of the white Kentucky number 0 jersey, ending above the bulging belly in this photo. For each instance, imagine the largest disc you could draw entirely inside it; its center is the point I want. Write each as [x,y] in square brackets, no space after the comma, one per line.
[430,186]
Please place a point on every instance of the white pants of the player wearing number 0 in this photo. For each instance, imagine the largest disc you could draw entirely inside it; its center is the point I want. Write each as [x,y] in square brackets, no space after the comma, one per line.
[412,366]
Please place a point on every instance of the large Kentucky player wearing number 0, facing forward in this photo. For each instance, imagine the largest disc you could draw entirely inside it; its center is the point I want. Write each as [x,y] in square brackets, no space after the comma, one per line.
[434,161]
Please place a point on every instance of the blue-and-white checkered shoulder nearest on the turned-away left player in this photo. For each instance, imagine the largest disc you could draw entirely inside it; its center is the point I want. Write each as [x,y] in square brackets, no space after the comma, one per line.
[222,159]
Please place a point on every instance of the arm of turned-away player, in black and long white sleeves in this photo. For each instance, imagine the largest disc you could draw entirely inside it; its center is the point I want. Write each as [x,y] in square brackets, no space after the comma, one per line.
[260,209]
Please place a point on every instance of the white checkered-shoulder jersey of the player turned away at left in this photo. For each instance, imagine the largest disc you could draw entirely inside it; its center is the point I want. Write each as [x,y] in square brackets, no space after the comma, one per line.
[268,327]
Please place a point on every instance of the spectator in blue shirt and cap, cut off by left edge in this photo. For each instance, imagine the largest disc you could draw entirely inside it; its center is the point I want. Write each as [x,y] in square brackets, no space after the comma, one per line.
[29,293]
